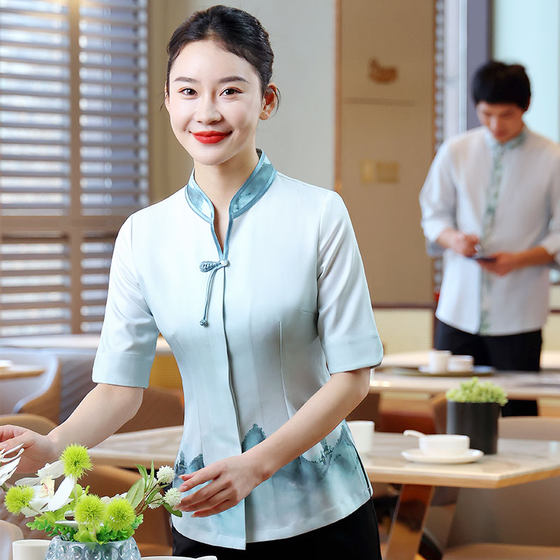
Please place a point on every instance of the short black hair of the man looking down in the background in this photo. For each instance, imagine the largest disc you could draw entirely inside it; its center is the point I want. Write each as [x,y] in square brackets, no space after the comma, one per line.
[496,82]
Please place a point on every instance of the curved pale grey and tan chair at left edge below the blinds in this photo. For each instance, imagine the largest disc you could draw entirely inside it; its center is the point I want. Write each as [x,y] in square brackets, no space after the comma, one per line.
[34,395]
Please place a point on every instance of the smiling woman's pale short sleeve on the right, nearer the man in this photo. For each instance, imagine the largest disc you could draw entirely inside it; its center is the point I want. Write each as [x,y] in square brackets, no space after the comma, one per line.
[345,319]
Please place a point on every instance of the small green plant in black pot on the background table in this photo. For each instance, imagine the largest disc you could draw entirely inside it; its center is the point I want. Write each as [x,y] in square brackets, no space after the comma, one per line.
[473,409]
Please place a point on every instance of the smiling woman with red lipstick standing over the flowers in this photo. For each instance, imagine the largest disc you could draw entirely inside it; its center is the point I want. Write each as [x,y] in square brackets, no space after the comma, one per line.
[256,282]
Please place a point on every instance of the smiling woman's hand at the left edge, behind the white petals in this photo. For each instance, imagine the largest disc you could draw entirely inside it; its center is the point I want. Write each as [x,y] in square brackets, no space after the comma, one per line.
[38,449]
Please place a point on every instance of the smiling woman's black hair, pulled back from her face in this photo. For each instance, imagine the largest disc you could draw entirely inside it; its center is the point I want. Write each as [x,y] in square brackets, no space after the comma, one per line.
[237,31]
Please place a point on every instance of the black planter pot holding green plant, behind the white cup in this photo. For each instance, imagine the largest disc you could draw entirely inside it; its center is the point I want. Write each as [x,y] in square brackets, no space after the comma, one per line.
[479,421]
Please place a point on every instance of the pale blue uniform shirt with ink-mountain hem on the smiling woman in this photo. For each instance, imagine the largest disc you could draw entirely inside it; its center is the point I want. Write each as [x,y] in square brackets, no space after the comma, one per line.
[282,307]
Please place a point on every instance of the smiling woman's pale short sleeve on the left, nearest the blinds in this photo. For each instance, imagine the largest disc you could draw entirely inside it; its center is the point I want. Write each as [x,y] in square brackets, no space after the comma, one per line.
[129,334]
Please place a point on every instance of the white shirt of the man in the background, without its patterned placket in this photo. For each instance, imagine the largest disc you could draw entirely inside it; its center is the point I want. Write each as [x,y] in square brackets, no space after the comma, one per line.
[527,215]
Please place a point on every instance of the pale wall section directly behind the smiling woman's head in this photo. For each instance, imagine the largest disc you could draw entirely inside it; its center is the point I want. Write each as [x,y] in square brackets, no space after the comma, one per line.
[299,139]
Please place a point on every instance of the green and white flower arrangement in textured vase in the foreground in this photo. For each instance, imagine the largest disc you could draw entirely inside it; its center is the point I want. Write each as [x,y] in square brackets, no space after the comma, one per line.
[82,524]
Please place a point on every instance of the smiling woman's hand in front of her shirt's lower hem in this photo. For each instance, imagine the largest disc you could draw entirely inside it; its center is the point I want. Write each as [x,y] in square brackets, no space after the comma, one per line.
[229,481]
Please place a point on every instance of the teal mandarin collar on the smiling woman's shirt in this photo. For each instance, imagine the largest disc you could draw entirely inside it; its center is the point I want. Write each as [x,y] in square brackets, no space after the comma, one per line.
[248,194]
